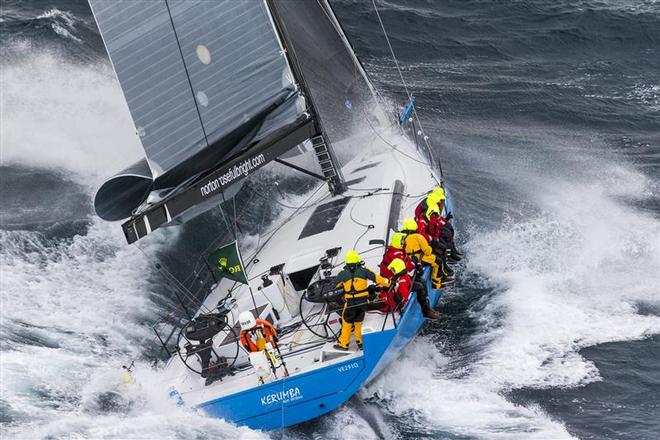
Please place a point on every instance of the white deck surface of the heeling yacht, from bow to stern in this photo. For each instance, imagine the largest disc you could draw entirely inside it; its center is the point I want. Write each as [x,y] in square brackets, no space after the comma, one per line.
[369,203]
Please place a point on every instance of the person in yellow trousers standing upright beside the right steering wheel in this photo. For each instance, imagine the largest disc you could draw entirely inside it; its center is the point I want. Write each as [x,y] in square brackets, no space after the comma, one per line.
[354,279]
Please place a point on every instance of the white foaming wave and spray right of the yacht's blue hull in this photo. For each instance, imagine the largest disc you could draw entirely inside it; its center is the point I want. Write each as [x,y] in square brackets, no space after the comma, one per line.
[572,265]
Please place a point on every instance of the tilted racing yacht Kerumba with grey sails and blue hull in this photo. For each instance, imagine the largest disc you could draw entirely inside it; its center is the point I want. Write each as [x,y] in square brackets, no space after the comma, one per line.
[217,90]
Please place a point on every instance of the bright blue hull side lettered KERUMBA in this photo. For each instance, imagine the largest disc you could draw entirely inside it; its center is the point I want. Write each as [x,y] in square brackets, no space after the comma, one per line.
[305,396]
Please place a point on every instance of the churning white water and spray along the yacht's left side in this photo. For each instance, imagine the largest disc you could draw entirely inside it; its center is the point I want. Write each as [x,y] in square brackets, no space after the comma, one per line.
[76,301]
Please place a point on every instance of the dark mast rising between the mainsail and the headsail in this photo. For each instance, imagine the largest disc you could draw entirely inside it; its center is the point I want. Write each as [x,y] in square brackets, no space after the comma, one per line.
[323,150]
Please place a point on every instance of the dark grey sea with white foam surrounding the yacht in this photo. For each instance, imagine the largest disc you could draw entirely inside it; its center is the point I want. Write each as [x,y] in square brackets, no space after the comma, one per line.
[546,115]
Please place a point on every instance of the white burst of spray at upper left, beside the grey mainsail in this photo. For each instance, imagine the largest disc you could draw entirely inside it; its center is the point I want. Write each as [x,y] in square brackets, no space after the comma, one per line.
[66,116]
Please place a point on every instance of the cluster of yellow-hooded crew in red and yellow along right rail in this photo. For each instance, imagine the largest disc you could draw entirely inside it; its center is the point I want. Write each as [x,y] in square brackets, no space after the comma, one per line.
[425,240]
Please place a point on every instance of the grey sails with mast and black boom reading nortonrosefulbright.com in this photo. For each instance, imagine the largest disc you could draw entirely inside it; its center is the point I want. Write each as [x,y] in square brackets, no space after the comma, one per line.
[218,89]
